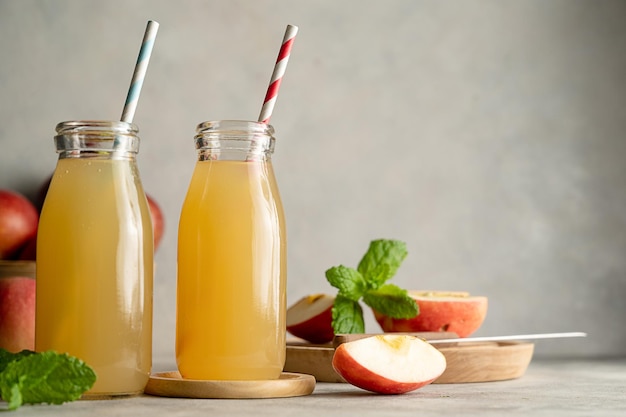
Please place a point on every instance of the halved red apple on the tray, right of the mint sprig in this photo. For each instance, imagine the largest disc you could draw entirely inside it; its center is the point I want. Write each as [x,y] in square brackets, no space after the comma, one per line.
[439,311]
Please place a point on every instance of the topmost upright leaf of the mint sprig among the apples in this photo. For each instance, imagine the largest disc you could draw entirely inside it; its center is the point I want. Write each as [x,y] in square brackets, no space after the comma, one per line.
[381,261]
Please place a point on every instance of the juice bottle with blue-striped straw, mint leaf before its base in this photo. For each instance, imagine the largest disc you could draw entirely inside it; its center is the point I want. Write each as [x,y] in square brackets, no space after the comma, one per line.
[95,257]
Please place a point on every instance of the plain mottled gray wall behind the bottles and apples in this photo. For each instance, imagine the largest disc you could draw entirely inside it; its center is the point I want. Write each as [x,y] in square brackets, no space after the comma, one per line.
[489,135]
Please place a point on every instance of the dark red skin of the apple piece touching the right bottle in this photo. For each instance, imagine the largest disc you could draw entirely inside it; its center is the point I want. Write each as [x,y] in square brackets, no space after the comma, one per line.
[318,329]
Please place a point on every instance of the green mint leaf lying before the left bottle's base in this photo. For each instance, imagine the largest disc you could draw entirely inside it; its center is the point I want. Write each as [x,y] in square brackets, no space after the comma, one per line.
[46,377]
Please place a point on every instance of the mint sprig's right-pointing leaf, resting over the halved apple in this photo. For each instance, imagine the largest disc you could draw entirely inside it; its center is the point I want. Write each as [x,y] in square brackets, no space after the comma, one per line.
[392,301]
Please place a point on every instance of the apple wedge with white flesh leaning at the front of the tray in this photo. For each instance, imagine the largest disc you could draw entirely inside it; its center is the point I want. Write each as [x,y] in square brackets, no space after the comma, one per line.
[389,364]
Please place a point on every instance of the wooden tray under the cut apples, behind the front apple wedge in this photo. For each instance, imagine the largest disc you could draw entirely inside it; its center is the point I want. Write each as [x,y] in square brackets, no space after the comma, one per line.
[466,362]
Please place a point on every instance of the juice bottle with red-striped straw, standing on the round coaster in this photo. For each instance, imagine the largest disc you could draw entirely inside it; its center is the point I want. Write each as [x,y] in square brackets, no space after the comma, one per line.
[230,322]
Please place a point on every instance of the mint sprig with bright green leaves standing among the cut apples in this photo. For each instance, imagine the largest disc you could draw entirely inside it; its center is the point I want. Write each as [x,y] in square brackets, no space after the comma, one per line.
[379,264]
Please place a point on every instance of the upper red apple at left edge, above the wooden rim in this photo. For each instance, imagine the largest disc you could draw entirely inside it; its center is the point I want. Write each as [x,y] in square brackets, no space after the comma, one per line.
[18,223]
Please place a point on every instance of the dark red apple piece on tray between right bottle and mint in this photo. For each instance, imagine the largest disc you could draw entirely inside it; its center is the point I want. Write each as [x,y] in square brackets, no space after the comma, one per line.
[311,318]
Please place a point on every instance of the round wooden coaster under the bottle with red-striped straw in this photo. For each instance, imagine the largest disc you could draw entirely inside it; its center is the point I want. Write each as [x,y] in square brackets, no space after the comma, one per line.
[171,384]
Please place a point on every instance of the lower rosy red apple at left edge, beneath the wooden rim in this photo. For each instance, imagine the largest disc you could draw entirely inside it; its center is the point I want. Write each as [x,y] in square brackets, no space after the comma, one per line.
[17,313]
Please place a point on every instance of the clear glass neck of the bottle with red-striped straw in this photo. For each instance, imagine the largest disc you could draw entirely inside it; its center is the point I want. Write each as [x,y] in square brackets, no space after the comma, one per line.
[234,140]
